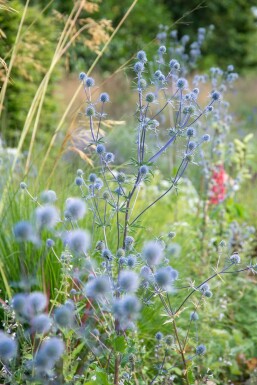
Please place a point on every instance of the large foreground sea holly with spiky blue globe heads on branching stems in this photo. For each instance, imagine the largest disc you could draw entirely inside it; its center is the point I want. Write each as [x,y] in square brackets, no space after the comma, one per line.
[88,333]
